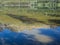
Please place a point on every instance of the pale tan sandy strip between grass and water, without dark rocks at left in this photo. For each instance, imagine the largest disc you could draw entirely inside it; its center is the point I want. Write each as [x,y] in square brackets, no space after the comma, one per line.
[26,27]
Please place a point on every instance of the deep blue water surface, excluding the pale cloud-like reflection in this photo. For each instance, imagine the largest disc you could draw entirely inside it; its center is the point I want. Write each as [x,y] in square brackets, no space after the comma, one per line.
[8,37]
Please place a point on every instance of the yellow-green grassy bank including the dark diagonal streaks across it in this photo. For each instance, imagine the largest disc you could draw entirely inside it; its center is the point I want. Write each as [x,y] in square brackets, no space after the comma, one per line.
[12,15]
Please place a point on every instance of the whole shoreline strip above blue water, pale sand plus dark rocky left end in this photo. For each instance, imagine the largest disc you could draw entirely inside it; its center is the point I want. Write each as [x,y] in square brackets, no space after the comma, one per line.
[18,28]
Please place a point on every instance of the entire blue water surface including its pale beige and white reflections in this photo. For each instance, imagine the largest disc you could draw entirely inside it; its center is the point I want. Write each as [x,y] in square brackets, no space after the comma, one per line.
[31,37]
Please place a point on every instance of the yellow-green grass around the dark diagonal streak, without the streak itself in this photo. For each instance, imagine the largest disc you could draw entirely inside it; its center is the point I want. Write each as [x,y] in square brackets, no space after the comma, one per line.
[22,12]
